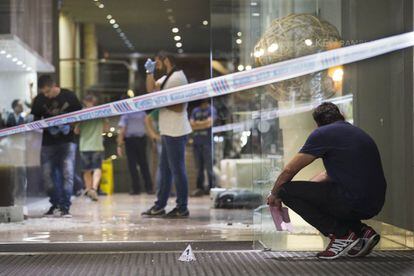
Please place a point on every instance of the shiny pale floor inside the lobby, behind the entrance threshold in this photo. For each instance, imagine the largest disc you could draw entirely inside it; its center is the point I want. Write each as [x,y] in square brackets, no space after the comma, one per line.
[117,218]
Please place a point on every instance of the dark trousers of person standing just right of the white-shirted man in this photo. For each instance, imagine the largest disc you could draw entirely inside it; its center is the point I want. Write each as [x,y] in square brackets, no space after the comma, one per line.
[204,161]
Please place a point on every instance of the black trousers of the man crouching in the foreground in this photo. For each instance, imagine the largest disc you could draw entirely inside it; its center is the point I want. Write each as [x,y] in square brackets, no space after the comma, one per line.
[323,205]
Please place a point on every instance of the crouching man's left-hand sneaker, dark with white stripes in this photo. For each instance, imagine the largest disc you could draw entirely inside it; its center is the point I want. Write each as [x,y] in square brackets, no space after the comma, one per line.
[338,246]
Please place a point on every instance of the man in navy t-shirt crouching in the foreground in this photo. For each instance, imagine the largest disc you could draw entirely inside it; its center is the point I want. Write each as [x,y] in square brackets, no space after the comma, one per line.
[352,188]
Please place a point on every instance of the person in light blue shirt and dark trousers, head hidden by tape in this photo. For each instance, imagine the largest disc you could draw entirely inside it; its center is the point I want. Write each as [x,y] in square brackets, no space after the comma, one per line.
[132,135]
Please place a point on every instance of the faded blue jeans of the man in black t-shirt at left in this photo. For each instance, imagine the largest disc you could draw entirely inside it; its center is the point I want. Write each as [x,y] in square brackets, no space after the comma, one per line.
[58,167]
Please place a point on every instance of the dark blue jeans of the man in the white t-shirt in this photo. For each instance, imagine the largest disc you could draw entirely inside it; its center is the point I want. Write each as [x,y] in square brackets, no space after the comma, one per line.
[172,166]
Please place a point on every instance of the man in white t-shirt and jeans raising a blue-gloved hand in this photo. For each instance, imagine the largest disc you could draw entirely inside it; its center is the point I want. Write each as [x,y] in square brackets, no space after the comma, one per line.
[174,129]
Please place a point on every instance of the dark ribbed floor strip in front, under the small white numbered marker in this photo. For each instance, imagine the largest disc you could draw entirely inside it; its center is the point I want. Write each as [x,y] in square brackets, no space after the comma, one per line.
[207,263]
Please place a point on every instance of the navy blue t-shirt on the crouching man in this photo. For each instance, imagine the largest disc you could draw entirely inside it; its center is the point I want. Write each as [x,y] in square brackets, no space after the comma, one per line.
[351,160]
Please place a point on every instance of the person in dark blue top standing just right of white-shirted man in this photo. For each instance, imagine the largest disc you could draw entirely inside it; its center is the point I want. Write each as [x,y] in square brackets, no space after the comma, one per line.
[201,122]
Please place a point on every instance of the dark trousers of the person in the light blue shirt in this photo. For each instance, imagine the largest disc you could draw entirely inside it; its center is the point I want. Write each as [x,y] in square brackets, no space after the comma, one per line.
[136,152]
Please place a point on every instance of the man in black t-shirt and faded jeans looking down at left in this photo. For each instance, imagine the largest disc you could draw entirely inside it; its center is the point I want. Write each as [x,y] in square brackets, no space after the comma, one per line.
[58,147]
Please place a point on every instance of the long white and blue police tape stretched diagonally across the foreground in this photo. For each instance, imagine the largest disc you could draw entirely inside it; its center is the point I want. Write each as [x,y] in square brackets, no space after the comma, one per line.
[229,83]
